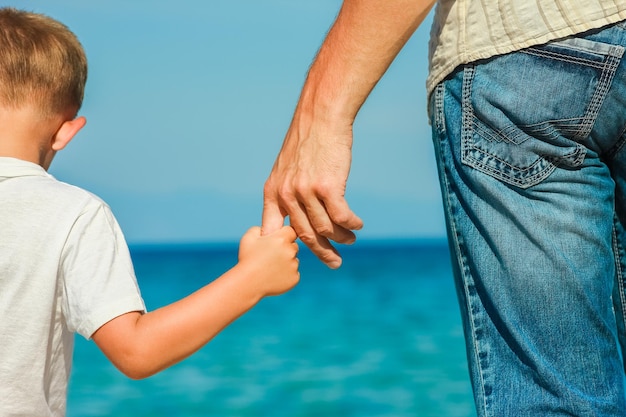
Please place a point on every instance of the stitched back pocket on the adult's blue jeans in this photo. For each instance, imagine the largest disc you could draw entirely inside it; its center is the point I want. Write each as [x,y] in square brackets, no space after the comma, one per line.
[528,112]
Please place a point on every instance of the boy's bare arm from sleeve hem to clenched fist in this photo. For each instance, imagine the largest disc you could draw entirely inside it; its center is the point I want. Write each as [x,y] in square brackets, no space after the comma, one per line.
[143,344]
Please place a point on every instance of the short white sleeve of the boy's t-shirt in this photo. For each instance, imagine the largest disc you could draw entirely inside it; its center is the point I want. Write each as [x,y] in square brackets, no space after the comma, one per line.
[99,281]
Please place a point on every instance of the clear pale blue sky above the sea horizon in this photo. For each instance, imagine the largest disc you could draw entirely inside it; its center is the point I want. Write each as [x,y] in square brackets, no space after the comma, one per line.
[187,104]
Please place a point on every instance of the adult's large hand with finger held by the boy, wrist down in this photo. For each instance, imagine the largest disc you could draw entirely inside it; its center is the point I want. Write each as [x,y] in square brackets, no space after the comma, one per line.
[308,184]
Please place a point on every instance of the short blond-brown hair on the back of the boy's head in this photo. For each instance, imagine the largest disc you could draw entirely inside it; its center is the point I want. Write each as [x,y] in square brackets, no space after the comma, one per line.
[42,63]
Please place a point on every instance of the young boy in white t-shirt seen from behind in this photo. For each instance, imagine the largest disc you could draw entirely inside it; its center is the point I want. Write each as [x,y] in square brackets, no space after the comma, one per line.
[64,264]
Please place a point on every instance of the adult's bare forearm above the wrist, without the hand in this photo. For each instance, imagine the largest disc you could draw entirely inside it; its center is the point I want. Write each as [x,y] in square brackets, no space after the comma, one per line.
[364,40]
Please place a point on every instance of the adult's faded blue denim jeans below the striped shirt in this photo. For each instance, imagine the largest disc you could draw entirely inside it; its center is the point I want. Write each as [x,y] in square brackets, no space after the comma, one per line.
[532,165]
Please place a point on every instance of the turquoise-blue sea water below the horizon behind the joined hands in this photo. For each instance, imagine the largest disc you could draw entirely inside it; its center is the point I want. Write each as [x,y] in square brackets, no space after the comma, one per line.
[379,337]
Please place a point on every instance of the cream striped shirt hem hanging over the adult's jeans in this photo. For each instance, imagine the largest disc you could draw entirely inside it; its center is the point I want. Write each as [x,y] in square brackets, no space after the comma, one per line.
[468,30]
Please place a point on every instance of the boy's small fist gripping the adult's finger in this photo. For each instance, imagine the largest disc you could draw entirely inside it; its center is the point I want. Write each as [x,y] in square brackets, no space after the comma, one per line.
[272,259]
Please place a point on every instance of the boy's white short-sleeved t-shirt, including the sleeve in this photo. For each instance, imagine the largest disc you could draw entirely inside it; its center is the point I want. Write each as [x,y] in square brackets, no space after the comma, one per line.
[64,268]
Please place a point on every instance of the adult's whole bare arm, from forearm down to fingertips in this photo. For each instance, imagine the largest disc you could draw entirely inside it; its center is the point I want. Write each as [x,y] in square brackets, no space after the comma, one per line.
[308,180]
